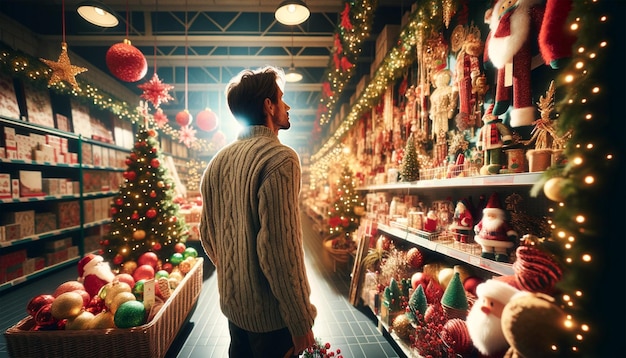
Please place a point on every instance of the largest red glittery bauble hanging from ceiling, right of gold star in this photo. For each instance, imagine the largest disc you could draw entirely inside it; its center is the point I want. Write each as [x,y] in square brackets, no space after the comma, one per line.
[126,62]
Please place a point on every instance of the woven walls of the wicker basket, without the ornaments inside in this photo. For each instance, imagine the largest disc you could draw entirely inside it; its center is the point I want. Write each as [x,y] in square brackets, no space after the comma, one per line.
[152,339]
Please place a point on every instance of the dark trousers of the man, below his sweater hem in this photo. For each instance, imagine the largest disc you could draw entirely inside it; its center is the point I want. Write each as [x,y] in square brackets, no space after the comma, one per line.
[246,344]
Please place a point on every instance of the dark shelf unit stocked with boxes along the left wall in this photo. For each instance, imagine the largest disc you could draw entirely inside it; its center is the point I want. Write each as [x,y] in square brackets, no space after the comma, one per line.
[78,173]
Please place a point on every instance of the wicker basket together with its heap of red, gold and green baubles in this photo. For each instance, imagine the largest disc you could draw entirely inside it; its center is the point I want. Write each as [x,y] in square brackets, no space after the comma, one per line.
[133,312]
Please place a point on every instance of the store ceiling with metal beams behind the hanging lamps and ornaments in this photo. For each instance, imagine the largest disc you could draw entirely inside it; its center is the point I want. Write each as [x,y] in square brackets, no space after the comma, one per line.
[199,45]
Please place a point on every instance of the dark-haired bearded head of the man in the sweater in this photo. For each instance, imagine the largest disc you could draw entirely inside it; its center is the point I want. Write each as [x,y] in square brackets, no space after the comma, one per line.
[255,98]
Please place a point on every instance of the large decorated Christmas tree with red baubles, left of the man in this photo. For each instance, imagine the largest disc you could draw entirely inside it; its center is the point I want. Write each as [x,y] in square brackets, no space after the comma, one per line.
[144,214]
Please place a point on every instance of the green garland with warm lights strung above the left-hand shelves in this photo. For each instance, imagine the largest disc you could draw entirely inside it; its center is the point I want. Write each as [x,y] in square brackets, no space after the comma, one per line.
[29,68]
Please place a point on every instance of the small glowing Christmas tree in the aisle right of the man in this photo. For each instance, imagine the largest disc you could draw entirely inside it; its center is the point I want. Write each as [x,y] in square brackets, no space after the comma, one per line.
[344,214]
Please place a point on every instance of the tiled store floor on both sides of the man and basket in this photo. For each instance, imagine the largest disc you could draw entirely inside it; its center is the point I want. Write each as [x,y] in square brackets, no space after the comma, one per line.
[353,330]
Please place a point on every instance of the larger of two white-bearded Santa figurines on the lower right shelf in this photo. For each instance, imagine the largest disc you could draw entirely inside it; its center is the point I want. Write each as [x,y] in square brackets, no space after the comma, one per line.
[493,233]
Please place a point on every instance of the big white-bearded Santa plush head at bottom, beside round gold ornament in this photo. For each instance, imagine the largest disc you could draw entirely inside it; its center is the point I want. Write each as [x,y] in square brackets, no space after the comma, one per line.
[484,319]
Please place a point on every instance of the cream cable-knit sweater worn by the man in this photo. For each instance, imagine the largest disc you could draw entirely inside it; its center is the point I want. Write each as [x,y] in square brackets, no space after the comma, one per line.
[250,229]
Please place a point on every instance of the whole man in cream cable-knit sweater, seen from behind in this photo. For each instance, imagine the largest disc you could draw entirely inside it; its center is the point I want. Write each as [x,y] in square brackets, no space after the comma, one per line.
[250,226]
